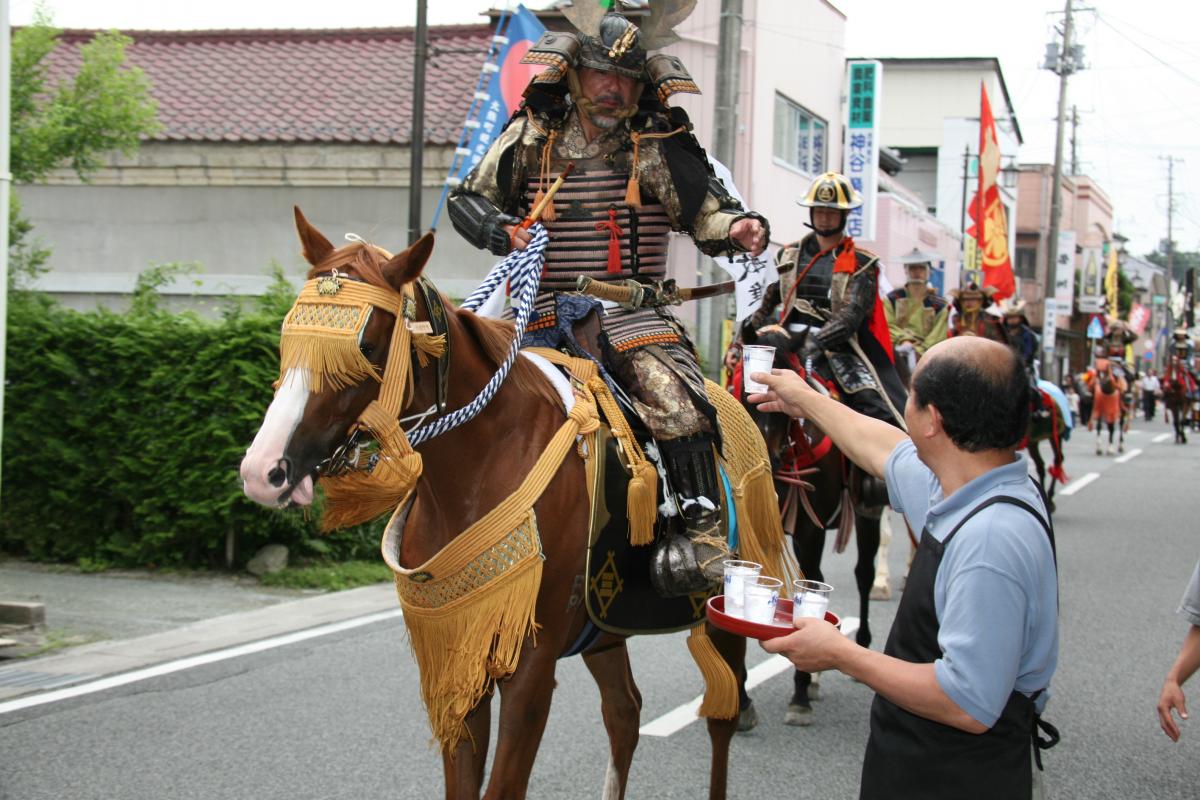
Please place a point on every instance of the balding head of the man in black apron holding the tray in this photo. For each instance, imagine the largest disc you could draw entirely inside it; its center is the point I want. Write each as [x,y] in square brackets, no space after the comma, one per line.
[981,390]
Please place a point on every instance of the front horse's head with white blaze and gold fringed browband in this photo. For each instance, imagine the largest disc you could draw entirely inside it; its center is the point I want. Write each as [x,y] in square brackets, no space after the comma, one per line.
[335,351]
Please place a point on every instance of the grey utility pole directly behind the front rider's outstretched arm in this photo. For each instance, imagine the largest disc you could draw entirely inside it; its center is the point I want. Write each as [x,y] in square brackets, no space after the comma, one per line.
[725,127]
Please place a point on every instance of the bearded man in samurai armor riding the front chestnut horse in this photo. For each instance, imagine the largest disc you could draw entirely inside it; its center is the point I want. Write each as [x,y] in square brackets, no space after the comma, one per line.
[639,175]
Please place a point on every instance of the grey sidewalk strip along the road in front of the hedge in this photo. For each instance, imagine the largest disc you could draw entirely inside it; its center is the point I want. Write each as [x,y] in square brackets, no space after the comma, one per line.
[130,621]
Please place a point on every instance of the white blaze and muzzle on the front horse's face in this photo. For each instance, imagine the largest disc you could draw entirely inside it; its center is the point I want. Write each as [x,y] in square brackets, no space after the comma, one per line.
[283,418]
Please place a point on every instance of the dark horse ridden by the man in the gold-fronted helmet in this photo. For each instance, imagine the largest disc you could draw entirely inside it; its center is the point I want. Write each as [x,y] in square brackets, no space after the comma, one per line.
[819,490]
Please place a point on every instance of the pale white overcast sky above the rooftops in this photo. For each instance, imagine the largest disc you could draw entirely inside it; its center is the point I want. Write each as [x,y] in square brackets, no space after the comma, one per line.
[1139,98]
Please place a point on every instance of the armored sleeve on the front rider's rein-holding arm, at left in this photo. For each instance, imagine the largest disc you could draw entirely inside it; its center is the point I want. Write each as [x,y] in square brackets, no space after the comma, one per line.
[488,200]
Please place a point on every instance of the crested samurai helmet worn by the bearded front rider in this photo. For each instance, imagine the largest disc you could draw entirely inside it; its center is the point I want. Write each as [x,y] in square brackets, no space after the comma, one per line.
[611,43]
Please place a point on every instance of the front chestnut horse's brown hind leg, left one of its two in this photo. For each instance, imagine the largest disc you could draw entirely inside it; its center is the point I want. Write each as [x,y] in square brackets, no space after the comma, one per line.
[621,705]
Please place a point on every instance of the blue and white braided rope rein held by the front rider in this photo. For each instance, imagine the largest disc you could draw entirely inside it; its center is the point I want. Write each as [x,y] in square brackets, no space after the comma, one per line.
[523,269]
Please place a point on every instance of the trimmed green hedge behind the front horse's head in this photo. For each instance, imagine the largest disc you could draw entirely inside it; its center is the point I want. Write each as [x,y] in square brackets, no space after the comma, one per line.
[123,436]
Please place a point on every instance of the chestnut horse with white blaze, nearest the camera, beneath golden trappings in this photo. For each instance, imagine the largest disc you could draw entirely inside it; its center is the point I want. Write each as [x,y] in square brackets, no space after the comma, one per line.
[467,472]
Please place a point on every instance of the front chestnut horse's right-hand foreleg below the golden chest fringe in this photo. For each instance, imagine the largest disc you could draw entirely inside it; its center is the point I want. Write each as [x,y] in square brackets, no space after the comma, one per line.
[525,707]
